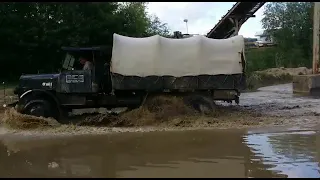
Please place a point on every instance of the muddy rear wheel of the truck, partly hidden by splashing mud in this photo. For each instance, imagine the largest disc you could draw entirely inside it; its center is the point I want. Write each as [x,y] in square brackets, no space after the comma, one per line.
[200,103]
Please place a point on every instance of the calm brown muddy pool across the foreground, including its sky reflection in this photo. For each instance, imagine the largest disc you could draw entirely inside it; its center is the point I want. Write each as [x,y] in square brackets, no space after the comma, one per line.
[223,153]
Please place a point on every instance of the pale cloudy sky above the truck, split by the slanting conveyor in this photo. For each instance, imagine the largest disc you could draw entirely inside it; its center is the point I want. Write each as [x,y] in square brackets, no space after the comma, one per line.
[202,16]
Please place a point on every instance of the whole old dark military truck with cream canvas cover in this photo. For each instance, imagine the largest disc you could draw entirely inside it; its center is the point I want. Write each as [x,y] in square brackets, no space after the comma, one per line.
[196,68]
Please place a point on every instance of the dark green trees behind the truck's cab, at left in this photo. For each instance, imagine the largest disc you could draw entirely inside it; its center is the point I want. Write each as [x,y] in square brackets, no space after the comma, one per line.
[32,33]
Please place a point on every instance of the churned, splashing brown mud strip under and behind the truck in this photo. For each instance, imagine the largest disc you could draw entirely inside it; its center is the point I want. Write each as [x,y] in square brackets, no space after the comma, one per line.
[269,106]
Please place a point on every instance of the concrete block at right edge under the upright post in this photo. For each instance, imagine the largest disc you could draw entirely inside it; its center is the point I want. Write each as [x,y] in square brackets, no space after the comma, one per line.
[306,84]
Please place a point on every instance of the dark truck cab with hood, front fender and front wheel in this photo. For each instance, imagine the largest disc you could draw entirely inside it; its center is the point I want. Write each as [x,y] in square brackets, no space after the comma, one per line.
[52,95]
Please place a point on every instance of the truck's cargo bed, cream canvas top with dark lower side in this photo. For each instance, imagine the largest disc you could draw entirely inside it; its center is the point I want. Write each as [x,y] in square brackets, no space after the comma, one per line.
[197,63]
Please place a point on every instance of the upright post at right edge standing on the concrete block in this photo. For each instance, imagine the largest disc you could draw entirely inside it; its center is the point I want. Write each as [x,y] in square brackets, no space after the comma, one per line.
[316,28]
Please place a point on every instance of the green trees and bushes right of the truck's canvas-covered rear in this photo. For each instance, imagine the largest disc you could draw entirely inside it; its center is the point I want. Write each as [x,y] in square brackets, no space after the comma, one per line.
[290,23]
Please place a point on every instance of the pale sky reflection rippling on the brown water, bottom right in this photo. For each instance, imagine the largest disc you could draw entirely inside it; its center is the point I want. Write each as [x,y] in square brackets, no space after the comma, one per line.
[292,154]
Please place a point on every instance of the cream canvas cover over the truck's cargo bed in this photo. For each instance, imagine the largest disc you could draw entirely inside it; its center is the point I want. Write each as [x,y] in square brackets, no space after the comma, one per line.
[158,56]
